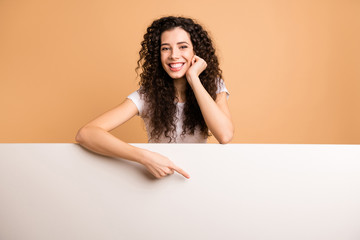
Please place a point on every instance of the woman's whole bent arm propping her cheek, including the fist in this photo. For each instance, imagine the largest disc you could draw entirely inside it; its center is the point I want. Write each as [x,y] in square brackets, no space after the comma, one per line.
[216,113]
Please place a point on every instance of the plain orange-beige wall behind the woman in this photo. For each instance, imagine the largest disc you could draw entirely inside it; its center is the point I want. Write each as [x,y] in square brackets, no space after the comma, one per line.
[292,67]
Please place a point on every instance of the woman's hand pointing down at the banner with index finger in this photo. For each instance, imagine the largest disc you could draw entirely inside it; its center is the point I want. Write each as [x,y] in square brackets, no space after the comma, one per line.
[160,166]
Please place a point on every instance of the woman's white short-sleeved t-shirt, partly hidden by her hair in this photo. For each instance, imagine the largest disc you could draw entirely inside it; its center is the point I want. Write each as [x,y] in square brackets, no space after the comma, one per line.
[198,137]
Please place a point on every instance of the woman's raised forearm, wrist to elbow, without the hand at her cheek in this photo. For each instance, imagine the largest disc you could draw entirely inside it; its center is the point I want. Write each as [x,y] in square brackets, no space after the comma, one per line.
[218,122]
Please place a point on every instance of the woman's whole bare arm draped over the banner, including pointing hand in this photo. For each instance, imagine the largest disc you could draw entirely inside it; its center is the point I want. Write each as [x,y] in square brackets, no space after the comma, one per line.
[95,136]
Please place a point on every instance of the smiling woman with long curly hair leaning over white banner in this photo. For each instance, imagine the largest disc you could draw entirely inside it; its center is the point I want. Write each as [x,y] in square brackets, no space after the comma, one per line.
[181,97]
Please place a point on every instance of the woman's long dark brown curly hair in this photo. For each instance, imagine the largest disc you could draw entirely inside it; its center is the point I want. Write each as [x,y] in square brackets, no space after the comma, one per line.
[158,88]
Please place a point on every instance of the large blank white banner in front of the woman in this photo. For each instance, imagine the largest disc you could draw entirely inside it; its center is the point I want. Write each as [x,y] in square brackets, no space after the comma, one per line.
[236,191]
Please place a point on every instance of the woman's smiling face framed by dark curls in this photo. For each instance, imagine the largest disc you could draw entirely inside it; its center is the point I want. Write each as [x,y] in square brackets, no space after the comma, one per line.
[176,52]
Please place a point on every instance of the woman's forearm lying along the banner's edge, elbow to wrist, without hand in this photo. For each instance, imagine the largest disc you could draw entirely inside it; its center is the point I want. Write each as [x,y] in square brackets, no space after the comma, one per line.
[100,141]
